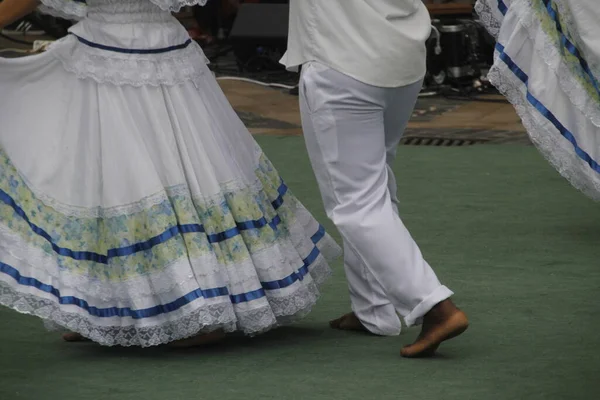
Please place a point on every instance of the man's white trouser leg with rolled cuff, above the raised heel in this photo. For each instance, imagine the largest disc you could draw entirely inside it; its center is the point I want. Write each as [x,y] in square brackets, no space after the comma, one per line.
[344,128]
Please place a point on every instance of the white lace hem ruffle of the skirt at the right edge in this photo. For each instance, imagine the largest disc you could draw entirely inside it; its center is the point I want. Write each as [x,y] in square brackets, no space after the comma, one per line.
[554,147]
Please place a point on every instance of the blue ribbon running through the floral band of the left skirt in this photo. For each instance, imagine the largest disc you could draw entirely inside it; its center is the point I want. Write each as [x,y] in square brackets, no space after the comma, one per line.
[155,241]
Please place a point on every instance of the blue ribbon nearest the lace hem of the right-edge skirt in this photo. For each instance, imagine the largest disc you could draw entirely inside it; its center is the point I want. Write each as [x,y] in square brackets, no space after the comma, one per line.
[519,73]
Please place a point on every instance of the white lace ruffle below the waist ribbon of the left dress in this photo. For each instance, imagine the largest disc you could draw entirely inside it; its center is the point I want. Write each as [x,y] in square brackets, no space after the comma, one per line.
[173,68]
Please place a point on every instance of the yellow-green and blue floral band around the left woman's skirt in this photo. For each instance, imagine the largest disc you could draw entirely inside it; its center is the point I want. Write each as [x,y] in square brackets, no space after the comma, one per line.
[116,248]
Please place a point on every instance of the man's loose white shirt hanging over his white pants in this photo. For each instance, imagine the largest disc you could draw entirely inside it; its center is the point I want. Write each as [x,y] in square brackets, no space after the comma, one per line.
[378,42]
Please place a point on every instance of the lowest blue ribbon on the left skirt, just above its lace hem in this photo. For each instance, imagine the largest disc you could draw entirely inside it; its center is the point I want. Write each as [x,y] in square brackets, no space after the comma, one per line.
[174,305]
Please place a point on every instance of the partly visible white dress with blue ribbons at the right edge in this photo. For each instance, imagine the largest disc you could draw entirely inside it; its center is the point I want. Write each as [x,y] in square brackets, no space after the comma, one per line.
[547,63]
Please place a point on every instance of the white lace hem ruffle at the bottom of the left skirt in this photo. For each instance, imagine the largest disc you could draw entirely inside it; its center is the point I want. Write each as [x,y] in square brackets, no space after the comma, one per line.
[279,311]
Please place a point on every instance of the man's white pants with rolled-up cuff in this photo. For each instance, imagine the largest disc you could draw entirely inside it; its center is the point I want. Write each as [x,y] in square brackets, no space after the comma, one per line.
[352,131]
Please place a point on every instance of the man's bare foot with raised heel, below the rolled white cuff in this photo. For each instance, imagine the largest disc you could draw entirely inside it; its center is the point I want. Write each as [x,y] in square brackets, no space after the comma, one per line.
[445,321]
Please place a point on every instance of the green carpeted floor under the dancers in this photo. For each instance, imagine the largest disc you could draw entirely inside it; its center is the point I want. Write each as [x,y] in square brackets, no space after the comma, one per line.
[515,242]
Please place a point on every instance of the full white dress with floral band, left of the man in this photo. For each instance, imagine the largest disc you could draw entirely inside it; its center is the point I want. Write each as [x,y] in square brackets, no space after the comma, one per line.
[135,207]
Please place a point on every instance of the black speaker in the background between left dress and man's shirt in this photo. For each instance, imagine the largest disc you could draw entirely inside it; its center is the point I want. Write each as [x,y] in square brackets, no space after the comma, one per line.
[259,36]
